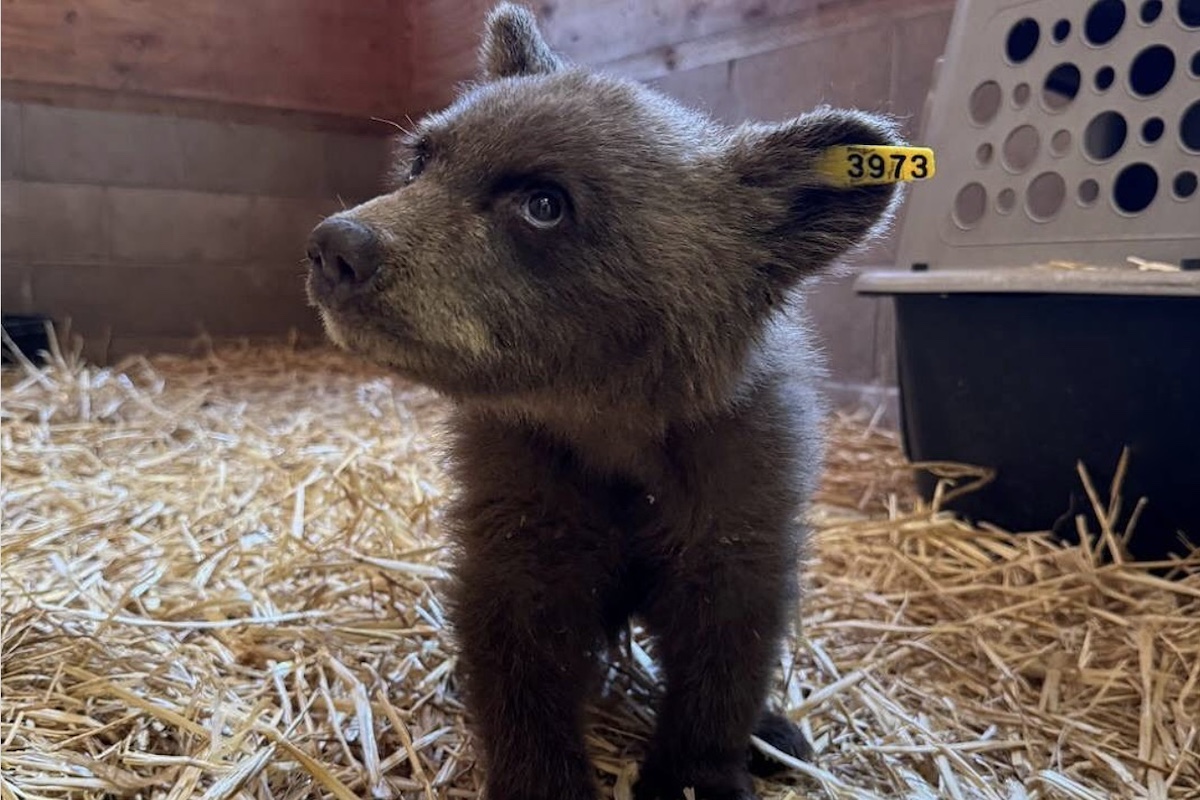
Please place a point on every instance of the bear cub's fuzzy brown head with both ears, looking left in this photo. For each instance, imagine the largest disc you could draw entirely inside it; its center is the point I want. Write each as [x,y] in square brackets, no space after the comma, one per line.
[560,236]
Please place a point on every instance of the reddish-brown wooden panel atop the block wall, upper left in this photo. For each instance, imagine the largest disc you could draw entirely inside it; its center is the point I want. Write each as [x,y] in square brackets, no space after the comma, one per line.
[347,58]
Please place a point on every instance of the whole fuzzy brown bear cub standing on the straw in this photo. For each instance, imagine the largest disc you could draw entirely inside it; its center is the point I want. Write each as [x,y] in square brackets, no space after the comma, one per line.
[602,282]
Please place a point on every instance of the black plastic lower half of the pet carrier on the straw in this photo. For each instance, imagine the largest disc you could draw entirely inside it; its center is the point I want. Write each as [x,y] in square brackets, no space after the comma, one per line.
[1031,382]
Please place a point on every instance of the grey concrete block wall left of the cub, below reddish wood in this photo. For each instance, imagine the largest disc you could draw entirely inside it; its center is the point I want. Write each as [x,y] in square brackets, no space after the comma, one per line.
[146,228]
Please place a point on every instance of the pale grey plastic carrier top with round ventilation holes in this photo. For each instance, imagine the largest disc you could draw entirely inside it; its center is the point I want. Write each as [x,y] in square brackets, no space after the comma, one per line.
[1065,130]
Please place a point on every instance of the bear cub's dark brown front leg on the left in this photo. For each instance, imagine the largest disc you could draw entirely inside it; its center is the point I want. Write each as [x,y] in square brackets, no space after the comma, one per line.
[537,566]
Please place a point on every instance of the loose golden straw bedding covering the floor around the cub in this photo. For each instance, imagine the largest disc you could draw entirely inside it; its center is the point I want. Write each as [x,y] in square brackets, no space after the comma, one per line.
[221,580]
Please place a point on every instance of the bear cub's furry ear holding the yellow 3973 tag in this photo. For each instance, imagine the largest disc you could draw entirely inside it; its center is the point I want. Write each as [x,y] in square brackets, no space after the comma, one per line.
[805,222]
